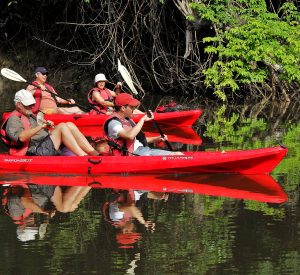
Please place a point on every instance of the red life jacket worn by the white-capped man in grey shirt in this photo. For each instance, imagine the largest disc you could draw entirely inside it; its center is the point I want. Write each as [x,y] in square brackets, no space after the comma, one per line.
[15,148]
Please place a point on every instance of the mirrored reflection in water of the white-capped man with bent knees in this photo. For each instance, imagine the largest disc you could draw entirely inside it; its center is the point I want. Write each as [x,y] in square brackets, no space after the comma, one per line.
[31,206]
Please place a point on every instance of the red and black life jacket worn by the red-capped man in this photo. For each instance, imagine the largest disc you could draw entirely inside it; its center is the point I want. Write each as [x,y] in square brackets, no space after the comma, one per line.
[124,146]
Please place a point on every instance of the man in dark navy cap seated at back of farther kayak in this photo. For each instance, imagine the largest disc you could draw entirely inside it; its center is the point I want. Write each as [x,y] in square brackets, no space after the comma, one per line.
[45,101]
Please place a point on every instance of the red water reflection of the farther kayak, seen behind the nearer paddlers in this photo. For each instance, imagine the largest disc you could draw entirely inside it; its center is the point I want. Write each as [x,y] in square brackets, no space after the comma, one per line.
[184,135]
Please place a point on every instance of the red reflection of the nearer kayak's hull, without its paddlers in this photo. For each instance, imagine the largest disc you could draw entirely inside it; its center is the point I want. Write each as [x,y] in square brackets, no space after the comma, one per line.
[251,187]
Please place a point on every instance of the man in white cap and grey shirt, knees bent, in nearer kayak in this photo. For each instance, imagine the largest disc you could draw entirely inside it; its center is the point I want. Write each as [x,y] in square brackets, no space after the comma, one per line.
[43,140]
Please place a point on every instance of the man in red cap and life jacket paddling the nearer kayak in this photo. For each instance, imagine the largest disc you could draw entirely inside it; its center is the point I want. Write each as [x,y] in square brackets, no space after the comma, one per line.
[120,129]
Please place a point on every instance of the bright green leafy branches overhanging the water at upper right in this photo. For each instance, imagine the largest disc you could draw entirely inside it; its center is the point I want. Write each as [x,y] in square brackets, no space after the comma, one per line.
[250,43]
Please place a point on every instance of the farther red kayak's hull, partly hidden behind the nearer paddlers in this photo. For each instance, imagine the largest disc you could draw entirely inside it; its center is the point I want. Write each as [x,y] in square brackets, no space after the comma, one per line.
[179,118]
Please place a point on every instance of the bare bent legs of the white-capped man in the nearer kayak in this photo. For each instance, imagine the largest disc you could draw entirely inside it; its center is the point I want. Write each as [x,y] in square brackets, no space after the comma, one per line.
[63,134]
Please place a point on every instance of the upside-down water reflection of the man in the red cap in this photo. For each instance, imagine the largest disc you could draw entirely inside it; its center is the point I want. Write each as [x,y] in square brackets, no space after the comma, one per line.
[123,209]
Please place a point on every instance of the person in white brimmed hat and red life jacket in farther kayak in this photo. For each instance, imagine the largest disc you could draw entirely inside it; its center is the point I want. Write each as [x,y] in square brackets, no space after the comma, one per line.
[101,97]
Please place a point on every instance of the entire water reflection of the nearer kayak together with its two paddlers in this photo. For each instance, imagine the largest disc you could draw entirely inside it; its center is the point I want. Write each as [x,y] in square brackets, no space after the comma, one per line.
[32,200]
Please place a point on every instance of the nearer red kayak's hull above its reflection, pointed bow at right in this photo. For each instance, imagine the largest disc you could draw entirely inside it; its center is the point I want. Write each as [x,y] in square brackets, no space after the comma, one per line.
[255,161]
